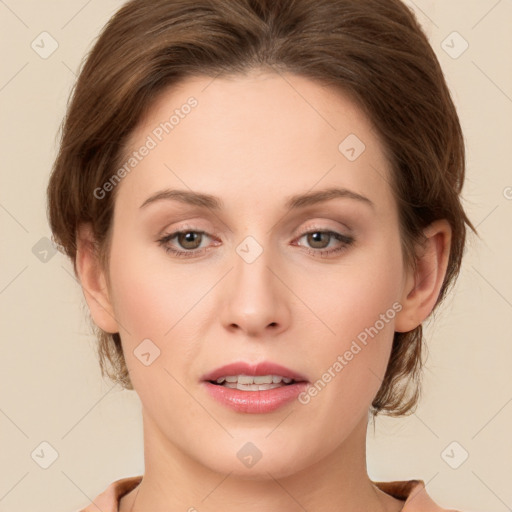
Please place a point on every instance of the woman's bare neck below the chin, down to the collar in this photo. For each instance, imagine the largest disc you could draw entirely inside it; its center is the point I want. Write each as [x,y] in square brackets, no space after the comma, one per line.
[175,481]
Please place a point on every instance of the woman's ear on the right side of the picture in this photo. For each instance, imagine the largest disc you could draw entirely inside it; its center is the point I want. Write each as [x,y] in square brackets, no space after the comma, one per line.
[422,286]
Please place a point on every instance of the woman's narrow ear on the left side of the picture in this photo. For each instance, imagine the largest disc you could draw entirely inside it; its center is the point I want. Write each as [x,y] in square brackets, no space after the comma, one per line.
[93,280]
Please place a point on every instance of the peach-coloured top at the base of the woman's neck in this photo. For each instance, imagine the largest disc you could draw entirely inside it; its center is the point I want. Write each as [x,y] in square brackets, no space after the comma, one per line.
[412,492]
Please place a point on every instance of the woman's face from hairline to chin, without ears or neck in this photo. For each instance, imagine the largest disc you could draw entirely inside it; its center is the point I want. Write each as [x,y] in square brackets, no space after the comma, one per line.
[263,274]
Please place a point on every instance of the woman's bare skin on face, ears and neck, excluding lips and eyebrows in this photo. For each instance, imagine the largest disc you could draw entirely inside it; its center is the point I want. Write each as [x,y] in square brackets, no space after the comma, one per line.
[253,141]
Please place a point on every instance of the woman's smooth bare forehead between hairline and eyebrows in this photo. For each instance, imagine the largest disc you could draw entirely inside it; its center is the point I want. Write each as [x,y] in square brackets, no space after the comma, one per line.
[264,134]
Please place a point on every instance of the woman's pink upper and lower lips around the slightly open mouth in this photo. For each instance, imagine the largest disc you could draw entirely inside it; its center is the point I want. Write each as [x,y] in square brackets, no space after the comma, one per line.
[257,402]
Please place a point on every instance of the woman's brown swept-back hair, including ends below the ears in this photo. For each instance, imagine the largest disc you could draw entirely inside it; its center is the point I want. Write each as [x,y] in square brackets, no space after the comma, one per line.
[373,50]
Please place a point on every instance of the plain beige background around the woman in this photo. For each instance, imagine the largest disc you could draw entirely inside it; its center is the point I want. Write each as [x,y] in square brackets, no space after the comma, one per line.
[51,387]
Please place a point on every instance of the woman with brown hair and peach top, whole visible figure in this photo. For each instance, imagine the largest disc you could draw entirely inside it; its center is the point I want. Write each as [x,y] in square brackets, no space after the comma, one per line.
[261,200]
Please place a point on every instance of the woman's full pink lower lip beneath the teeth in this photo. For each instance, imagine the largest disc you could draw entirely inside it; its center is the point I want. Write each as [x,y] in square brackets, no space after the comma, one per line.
[255,402]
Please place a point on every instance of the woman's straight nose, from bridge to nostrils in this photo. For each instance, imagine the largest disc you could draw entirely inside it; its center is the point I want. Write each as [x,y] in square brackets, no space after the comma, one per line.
[255,299]
